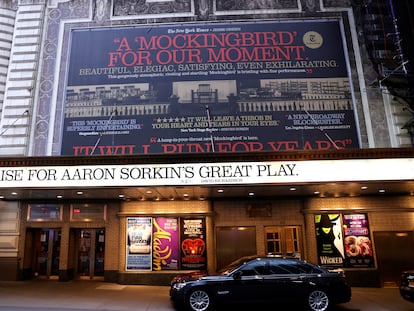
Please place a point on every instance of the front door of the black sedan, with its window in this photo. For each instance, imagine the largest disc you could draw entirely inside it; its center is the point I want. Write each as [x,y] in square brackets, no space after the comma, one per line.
[246,283]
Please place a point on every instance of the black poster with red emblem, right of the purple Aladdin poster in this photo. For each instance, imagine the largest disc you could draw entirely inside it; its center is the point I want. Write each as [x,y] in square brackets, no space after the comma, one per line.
[193,244]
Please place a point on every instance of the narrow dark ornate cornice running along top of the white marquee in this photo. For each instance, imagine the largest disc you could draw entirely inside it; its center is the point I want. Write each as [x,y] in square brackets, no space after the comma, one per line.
[351,154]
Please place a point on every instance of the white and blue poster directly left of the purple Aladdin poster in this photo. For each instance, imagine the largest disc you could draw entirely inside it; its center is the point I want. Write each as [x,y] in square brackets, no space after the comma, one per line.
[139,237]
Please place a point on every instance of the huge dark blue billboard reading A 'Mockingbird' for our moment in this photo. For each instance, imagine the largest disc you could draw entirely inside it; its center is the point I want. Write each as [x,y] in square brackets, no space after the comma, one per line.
[211,87]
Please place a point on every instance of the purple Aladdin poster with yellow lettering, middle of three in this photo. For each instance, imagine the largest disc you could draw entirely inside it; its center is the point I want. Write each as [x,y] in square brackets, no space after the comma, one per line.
[165,244]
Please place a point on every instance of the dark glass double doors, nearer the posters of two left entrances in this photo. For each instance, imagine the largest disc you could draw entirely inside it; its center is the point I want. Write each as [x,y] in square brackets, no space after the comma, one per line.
[87,252]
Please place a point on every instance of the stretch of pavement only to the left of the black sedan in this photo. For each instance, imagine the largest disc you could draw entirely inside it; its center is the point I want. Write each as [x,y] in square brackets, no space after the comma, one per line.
[82,295]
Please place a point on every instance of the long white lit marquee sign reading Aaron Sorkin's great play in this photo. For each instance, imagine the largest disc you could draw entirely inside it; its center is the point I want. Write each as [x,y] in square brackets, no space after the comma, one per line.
[231,173]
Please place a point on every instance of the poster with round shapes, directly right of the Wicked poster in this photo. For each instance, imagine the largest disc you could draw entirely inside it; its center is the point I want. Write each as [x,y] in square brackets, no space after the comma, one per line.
[358,246]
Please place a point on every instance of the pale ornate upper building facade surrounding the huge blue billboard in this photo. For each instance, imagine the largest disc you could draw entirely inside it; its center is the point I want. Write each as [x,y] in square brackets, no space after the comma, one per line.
[34,92]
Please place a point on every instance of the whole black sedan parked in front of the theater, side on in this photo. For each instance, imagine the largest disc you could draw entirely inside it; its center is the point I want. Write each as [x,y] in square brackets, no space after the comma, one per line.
[262,280]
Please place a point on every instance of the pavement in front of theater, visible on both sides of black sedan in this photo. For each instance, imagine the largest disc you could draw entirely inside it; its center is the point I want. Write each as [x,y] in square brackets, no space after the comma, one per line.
[93,295]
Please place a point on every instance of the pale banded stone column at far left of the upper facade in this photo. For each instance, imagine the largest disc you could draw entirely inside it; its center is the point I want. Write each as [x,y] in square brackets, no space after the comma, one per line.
[21,78]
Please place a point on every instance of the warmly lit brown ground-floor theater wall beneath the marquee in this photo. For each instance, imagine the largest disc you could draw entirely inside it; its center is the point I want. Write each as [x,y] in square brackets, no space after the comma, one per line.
[385,214]
